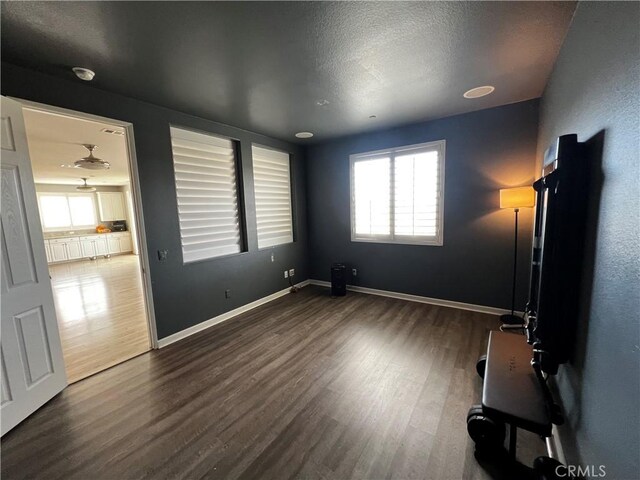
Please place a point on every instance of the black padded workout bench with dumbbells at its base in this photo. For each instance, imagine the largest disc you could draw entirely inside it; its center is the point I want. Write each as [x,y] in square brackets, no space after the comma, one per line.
[514,393]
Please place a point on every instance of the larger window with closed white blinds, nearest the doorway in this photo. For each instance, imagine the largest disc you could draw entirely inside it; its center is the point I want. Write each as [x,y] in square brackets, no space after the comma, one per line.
[206,173]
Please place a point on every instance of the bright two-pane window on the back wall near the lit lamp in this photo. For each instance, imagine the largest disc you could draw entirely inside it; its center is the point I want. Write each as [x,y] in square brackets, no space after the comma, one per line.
[397,195]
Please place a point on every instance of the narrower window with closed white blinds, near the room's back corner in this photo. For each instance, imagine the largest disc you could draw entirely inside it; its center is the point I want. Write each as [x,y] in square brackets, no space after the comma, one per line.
[272,187]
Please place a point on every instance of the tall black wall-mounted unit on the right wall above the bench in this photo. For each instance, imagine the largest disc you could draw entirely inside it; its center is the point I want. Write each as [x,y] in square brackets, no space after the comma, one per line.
[558,244]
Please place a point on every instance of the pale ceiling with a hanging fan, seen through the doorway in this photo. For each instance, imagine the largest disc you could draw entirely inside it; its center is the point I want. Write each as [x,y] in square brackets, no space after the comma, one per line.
[56,140]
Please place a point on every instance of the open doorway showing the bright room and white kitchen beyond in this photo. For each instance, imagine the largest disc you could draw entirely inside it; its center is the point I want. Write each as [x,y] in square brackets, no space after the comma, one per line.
[87,195]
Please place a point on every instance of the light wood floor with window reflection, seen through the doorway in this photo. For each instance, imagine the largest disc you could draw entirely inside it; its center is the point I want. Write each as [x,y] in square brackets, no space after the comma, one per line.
[101,313]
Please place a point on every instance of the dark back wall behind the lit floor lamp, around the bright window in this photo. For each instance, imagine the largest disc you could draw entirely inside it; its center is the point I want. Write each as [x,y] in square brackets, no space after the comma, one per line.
[485,151]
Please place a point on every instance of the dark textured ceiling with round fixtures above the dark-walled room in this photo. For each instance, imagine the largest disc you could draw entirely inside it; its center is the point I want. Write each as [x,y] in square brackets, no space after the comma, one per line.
[264,66]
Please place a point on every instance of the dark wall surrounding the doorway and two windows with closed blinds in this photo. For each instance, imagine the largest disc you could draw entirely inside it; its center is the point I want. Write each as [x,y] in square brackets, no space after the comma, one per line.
[184,295]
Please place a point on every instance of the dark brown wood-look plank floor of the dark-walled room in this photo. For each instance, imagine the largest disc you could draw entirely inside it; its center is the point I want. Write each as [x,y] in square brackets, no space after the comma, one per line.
[303,387]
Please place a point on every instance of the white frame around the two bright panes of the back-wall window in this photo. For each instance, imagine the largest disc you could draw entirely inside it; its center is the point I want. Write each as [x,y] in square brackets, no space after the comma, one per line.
[438,239]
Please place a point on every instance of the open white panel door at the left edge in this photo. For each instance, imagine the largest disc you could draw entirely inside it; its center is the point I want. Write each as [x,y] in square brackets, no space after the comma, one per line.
[30,350]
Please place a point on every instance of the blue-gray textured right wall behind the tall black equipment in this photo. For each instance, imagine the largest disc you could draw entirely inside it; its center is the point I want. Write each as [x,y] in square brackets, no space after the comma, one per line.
[594,92]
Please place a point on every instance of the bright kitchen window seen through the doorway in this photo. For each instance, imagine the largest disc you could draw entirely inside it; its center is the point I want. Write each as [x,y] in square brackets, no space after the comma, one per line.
[62,211]
